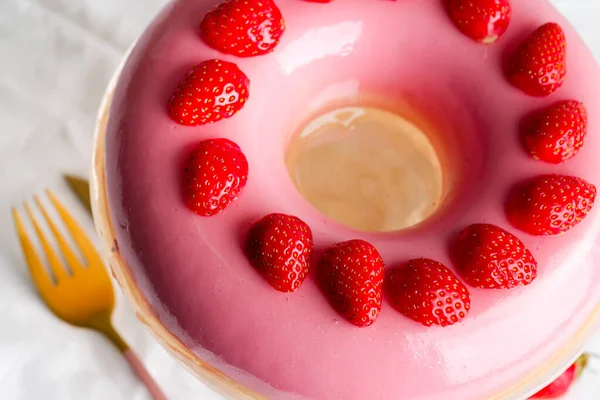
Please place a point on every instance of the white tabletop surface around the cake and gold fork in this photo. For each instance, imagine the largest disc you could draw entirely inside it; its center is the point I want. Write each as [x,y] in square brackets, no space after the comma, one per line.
[56,57]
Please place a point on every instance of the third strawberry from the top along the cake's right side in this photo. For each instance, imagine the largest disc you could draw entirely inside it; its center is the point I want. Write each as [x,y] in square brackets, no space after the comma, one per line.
[556,134]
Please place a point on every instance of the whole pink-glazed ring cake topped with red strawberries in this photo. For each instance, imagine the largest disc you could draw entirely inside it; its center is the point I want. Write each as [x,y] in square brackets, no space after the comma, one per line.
[196,203]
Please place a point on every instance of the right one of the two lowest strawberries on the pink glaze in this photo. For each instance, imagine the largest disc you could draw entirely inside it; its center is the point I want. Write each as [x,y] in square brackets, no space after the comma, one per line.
[428,292]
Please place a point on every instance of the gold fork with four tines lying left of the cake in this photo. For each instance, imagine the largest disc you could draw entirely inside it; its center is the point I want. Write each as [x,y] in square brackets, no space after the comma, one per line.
[82,295]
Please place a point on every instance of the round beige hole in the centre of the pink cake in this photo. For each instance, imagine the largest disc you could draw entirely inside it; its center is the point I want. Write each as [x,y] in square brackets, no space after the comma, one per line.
[367,168]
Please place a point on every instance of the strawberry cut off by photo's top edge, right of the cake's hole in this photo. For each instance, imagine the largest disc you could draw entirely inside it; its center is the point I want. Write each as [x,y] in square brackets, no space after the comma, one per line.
[481,20]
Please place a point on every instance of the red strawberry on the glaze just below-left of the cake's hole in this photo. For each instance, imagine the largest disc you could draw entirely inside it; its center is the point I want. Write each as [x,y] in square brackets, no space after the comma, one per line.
[280,246]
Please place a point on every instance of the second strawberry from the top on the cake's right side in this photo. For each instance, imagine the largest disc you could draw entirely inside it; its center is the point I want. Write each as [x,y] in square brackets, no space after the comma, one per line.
[538,67]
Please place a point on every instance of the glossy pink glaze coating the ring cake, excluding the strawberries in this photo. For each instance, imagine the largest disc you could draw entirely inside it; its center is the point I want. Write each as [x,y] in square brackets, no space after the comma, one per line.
[192,269]
